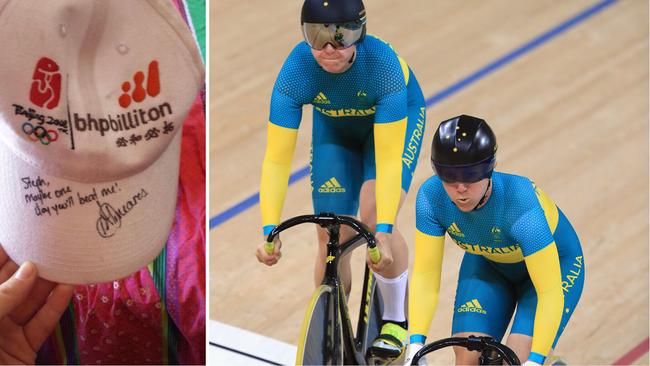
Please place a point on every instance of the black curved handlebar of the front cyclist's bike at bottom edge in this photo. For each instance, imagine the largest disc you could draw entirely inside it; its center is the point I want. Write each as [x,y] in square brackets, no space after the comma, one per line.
[492,351]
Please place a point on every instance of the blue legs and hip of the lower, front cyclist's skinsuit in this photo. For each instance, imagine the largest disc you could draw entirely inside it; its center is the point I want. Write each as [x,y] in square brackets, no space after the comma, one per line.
[487,292]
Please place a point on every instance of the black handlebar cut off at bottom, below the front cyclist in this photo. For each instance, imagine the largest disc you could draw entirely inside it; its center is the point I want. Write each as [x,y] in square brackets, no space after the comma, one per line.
[472,343]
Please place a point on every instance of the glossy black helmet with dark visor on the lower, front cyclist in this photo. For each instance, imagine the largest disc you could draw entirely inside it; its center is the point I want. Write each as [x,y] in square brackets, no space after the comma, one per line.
[464,150]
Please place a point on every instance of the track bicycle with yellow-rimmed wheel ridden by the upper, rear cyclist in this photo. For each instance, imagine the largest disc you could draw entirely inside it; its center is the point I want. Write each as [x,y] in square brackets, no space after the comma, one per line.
[327,336]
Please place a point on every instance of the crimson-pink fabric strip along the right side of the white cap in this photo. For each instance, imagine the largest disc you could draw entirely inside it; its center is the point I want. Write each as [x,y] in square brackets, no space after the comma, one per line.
[186,245]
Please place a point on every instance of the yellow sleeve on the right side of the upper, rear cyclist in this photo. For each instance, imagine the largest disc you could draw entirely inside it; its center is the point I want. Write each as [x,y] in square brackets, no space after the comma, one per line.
[389,147]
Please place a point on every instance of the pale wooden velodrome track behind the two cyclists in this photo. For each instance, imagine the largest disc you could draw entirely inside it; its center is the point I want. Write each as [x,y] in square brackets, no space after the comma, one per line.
[572,114]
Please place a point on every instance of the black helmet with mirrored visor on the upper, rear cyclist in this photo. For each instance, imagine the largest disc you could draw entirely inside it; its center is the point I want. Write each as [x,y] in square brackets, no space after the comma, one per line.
[340,23]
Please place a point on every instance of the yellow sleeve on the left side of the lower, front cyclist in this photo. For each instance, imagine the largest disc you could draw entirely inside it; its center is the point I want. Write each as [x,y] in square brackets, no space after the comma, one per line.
[425,281]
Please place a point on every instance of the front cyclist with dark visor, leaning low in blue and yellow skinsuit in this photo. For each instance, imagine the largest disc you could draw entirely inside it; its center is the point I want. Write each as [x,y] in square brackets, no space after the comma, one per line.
[521,251]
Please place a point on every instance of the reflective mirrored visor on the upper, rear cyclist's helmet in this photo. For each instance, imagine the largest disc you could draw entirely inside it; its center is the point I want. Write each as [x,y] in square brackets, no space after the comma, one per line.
[340,36]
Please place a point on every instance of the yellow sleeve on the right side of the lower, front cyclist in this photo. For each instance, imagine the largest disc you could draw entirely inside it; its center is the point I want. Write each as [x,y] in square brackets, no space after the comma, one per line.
[544,270]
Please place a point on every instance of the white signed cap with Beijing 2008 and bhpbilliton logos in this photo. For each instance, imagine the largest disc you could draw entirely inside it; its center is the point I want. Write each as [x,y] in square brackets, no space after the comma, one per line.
[93,94]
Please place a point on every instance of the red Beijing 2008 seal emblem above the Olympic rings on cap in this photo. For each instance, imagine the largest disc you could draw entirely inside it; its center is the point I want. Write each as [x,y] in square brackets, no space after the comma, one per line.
[46,84]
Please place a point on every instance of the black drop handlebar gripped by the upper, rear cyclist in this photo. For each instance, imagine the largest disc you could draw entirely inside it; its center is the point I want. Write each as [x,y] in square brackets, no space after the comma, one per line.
[326,220]
